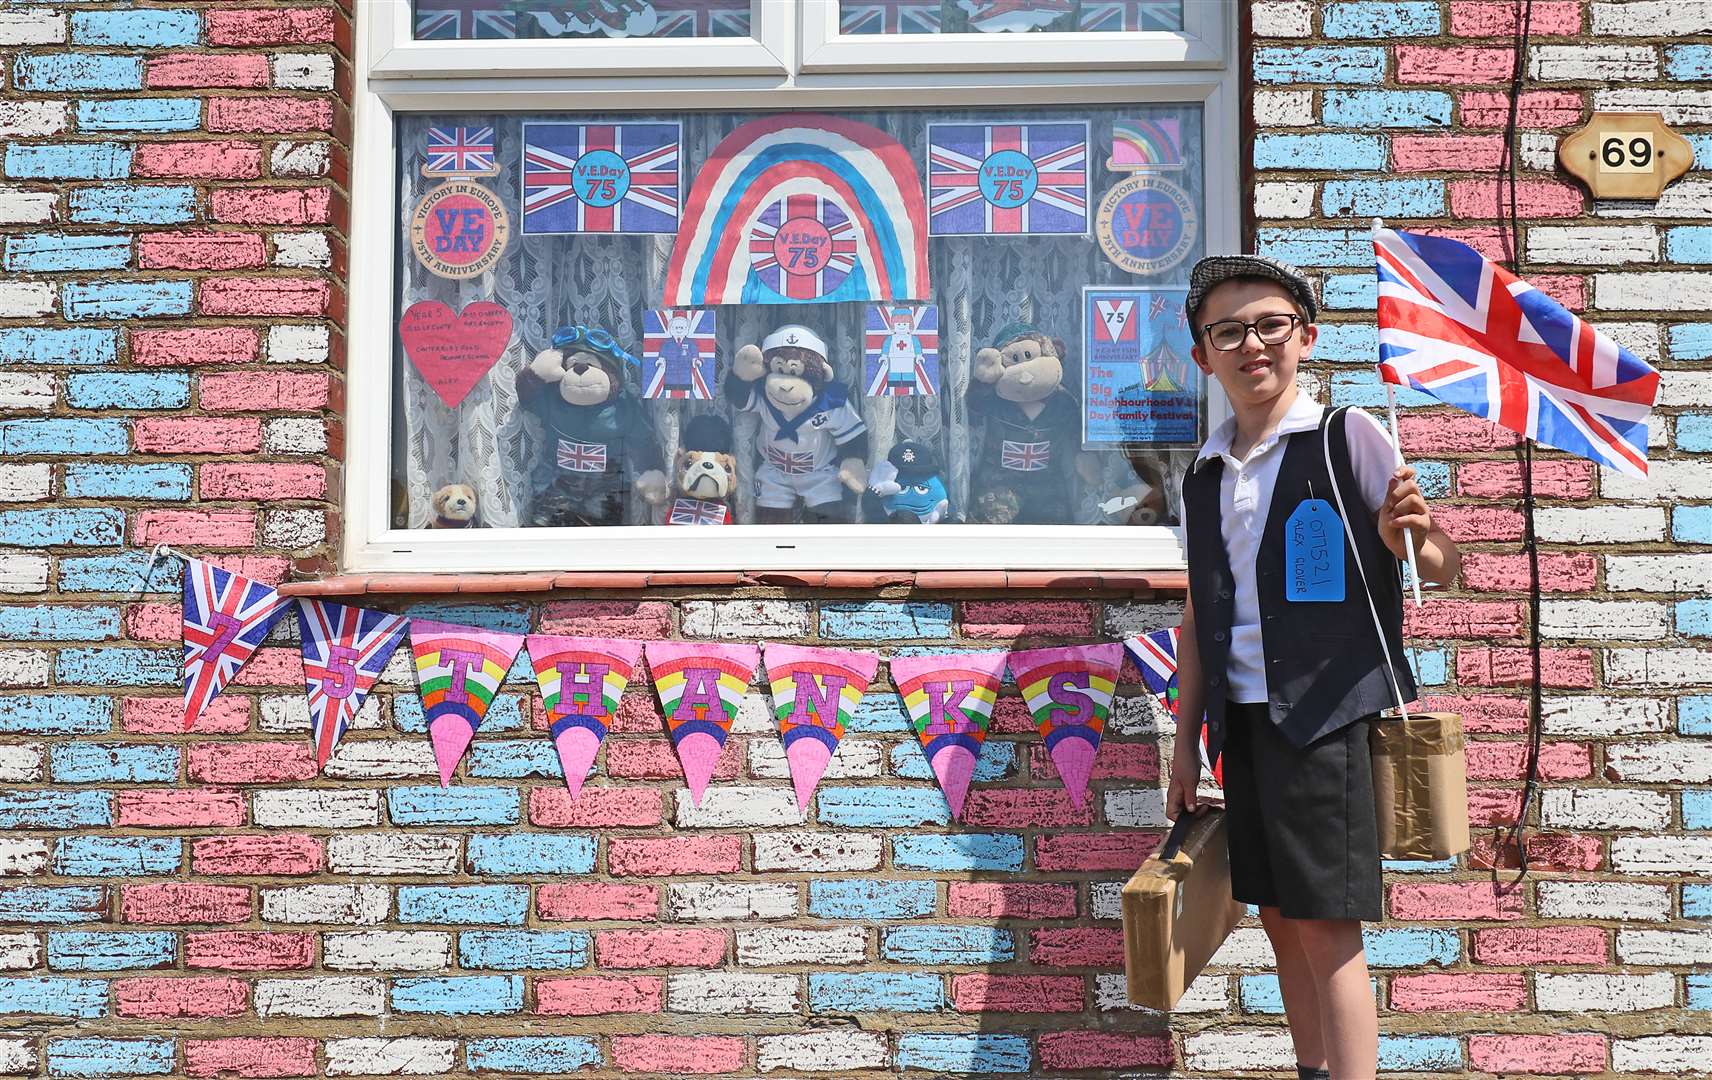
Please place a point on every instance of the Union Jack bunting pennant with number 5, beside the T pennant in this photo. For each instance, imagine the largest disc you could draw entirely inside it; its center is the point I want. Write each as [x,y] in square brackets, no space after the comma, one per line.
[345,651]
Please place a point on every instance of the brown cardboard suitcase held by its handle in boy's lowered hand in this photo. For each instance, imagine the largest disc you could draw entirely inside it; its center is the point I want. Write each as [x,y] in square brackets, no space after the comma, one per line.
[1179,911]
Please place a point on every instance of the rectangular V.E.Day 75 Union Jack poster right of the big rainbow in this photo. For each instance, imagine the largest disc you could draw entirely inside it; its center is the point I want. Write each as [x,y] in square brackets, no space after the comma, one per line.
[1008,179]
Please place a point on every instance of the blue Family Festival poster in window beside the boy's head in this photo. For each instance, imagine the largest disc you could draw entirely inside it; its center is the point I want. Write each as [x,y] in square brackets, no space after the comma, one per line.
[1143,386]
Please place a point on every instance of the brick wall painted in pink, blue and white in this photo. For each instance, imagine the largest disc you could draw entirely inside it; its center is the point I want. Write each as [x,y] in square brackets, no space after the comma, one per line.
[203,905]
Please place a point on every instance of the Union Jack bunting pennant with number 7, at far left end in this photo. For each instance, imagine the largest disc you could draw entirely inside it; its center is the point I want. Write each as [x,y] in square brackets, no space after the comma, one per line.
[225,620]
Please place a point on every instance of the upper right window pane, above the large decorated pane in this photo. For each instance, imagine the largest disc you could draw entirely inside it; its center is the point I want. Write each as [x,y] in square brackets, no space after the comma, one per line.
[1008,16]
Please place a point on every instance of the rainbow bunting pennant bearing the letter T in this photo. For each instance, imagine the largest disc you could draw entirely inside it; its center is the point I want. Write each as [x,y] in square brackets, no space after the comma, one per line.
[458,674]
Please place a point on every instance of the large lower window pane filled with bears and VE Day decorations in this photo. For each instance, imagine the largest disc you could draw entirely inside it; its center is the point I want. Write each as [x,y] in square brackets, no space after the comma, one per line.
[961,316]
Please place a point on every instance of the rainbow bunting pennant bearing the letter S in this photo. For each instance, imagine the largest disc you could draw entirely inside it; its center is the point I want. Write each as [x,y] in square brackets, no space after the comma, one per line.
[1069,692]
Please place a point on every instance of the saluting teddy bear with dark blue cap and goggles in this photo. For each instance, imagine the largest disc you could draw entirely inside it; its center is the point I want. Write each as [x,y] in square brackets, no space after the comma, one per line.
[602,441]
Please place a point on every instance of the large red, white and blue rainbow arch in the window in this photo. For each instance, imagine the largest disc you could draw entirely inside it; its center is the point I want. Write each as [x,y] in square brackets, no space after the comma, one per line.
[859,169]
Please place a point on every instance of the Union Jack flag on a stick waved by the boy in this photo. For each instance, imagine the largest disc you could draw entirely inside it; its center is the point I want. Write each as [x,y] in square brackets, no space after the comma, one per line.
[1485,341]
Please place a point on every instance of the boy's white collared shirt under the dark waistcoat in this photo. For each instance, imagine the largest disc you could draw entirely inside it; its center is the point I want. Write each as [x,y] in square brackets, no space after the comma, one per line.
[1245,497]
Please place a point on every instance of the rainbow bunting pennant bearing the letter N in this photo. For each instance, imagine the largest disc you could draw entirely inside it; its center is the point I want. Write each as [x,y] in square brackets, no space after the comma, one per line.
[814,692]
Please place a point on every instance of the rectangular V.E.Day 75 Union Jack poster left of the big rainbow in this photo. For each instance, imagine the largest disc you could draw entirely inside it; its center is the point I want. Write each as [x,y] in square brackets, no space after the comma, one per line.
[602,179]
